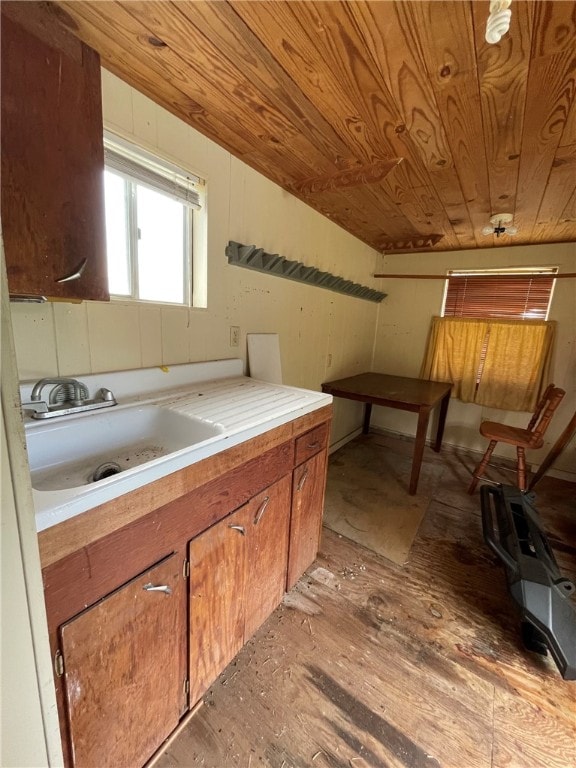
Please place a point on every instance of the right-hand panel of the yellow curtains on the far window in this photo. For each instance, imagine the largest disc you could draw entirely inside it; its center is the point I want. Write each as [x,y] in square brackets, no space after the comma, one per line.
[517,363]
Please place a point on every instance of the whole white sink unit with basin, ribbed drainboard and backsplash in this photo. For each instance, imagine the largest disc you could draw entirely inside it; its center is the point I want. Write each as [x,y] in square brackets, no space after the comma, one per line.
[167,419]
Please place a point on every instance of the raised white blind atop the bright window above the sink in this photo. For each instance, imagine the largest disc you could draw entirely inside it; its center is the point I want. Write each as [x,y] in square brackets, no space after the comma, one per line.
[163,178]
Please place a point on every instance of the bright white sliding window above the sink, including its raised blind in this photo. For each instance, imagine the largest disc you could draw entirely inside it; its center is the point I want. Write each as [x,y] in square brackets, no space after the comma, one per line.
[151,208]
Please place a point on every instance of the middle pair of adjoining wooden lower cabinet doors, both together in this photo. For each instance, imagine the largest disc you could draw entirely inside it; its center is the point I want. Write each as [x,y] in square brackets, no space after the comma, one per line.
[237,578]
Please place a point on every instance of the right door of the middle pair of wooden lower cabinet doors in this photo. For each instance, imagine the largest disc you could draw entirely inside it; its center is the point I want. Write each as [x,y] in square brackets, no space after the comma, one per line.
[267,553]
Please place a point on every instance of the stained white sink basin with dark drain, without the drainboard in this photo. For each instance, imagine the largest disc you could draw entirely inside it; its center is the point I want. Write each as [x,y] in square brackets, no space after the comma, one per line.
[67,452]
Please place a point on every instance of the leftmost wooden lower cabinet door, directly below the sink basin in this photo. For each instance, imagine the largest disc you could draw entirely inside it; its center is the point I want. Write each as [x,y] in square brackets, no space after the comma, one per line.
[122,682]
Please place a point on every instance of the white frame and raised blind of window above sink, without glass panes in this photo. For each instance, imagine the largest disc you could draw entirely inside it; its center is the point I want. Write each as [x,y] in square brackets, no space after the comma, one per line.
[140,167]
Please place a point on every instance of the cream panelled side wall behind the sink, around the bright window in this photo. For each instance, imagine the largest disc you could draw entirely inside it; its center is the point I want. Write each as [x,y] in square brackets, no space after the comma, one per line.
[313,323]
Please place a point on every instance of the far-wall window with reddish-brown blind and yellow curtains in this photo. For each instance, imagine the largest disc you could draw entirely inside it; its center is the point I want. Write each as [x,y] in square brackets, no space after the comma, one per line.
[493,342]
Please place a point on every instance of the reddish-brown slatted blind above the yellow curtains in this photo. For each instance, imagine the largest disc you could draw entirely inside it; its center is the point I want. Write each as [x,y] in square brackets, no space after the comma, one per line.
[521,296]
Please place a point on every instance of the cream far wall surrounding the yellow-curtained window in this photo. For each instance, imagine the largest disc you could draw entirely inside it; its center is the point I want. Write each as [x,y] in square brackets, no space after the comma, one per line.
[404,321]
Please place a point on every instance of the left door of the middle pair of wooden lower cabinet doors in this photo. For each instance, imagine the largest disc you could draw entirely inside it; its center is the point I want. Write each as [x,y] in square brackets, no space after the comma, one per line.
[218,569]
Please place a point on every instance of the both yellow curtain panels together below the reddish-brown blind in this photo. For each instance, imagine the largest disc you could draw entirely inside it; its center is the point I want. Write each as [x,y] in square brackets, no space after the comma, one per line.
[497,363]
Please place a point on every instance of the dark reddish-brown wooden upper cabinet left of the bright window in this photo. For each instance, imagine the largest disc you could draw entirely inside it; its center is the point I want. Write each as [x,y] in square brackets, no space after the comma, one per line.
[52,203]
